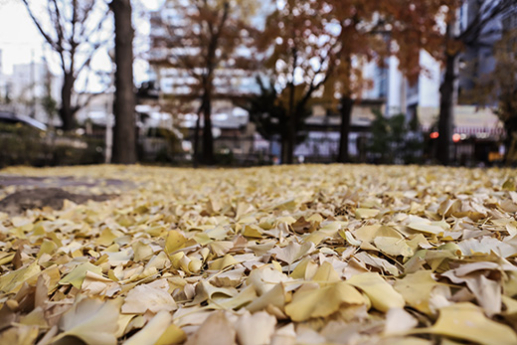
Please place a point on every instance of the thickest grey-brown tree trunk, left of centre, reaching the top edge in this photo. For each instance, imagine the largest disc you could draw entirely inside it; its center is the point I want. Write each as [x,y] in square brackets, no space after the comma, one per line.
[124,141]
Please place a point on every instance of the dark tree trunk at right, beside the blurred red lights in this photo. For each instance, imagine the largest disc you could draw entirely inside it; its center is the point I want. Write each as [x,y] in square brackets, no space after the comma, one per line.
[446,118]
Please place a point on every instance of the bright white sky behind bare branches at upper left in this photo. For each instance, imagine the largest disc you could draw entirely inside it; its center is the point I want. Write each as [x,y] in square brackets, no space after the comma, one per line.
[20,41]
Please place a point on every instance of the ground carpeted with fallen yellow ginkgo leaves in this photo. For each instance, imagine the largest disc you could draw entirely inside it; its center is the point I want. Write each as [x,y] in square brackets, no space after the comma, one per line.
[310,254]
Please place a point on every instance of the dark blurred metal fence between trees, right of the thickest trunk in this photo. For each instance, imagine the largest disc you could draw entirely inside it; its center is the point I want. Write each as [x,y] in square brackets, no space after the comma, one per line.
[251,151]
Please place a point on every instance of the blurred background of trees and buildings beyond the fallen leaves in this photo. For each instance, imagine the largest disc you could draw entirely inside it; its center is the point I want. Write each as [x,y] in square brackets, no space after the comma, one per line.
[254,82]
